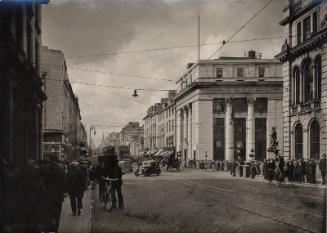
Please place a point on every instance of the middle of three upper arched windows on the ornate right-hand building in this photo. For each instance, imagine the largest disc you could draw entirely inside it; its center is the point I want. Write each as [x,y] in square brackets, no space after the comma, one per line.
[307,80]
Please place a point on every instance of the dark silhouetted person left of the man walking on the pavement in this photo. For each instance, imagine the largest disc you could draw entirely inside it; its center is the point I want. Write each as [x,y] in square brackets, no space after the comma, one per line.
[55,182]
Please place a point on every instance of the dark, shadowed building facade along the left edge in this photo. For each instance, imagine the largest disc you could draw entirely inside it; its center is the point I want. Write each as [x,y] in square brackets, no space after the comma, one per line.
[21,93]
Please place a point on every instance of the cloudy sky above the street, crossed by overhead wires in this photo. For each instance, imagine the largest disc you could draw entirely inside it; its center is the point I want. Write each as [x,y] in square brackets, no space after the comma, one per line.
[109,42]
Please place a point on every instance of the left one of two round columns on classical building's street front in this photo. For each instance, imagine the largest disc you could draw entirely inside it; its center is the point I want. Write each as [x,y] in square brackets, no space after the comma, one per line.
[229,131]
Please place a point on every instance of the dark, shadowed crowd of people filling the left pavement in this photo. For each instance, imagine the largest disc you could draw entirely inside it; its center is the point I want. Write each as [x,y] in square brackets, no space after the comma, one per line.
[35,193]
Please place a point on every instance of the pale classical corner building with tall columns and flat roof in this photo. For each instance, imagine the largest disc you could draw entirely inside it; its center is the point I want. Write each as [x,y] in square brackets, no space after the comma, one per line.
[227,107]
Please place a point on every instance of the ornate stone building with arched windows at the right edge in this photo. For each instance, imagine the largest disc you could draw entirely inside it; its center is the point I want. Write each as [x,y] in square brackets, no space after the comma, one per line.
[304,57]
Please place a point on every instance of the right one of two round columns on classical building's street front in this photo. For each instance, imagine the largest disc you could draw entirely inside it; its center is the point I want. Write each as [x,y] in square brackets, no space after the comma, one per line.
[250,128]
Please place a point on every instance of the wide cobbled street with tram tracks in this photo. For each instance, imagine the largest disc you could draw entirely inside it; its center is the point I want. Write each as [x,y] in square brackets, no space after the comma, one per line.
[205,201]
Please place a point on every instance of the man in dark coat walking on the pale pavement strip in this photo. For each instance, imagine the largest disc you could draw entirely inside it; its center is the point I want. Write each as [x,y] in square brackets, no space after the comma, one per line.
[76,186]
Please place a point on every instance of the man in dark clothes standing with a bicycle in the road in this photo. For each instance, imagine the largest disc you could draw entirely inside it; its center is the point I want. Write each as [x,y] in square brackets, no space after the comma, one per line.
[116,185]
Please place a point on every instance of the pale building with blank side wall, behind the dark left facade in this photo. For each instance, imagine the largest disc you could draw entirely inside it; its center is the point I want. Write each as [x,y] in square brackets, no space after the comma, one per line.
[61,112]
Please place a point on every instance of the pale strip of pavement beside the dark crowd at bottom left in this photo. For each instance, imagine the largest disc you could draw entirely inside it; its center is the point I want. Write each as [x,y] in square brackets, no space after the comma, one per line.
[76,224]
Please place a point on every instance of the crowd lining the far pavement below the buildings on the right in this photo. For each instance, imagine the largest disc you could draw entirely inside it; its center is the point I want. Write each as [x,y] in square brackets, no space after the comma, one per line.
[279,169]
